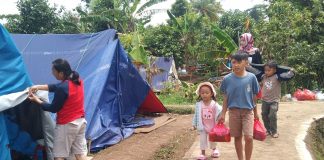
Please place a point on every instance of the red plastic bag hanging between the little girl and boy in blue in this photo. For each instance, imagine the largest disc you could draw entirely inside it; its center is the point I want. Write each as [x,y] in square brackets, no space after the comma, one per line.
[220,133]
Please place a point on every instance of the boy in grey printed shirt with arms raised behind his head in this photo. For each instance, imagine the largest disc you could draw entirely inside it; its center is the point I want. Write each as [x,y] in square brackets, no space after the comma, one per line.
[271,93]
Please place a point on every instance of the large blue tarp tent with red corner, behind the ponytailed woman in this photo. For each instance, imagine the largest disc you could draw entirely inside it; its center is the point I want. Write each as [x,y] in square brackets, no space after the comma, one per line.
[114,90]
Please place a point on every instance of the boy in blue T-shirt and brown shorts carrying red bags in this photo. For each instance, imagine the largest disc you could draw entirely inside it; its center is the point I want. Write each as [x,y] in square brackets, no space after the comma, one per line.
[239,89]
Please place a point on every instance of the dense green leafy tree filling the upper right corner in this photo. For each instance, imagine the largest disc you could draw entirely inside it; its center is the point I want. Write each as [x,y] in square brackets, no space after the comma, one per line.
[292,35]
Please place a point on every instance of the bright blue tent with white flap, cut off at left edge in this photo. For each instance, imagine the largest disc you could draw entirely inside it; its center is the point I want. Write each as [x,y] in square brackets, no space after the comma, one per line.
[16,120]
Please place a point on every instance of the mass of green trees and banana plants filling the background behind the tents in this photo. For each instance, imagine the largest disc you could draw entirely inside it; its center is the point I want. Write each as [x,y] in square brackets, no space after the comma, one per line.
[199,32]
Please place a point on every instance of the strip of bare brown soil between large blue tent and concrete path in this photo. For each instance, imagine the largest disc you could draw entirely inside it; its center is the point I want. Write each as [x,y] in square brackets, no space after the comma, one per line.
[170,141]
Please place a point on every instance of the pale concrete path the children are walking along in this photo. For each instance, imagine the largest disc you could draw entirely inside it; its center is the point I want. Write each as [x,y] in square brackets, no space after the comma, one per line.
[294,119]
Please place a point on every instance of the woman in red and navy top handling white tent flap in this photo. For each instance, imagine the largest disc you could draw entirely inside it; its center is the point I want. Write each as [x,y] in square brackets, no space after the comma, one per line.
[68,103]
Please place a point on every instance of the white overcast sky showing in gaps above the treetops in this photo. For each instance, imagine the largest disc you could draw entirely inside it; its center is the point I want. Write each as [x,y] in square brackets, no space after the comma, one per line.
[9,6]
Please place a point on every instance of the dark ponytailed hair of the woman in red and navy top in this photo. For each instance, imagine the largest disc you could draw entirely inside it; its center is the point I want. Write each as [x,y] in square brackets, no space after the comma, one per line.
[62,65]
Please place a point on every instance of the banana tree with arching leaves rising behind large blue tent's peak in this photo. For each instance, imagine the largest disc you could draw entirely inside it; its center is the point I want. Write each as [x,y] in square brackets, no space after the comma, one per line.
[122,15]
